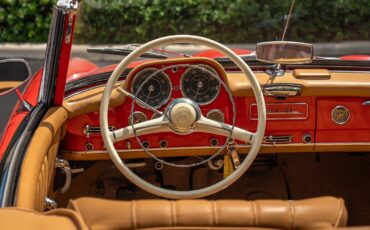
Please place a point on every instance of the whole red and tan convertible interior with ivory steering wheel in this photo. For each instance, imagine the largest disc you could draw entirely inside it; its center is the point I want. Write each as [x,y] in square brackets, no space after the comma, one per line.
[275,138]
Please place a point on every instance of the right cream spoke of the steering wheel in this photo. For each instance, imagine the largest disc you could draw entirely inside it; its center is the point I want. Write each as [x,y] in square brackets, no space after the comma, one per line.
[214,127]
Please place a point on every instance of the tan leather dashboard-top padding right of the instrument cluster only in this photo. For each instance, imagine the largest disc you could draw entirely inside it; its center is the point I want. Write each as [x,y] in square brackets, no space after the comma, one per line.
[342,84]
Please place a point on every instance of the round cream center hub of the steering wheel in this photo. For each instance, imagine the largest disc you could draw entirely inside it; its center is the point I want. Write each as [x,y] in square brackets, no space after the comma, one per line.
[183,114]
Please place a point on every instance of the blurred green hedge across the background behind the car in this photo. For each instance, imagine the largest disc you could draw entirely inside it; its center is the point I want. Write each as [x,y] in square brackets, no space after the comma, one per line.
[229,21]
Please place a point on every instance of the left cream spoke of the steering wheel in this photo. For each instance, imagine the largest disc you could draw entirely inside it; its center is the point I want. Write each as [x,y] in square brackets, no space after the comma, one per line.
[157,125]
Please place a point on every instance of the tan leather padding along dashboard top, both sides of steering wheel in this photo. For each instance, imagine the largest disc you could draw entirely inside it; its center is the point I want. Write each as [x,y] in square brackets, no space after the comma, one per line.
[351,84]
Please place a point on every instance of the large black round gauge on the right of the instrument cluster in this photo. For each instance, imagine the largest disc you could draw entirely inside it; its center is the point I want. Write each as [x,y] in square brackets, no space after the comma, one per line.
[199,85]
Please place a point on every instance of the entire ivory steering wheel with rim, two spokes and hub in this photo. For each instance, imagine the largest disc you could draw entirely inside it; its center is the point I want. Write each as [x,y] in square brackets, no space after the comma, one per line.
[182,116]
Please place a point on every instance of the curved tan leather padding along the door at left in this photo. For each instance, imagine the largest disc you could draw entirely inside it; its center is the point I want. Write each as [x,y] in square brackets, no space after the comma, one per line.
[38,164]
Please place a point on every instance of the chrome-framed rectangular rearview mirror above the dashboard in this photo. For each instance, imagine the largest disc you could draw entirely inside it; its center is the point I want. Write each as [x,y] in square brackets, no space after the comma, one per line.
[284,52]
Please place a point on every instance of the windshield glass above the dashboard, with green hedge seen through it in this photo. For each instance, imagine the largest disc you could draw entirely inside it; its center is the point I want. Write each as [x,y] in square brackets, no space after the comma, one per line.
[337,28]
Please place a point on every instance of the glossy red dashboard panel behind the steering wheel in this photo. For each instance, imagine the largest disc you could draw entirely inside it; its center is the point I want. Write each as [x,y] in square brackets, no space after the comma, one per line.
[294,124]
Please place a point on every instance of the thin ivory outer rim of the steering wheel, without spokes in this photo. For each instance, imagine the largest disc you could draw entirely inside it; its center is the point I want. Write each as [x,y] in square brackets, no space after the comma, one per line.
[192,194]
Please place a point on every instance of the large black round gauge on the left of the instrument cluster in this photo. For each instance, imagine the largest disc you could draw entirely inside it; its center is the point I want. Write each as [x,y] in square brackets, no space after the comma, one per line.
[155,91]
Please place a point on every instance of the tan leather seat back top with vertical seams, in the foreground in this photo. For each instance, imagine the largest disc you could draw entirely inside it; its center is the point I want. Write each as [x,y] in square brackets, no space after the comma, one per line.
[317,213]
